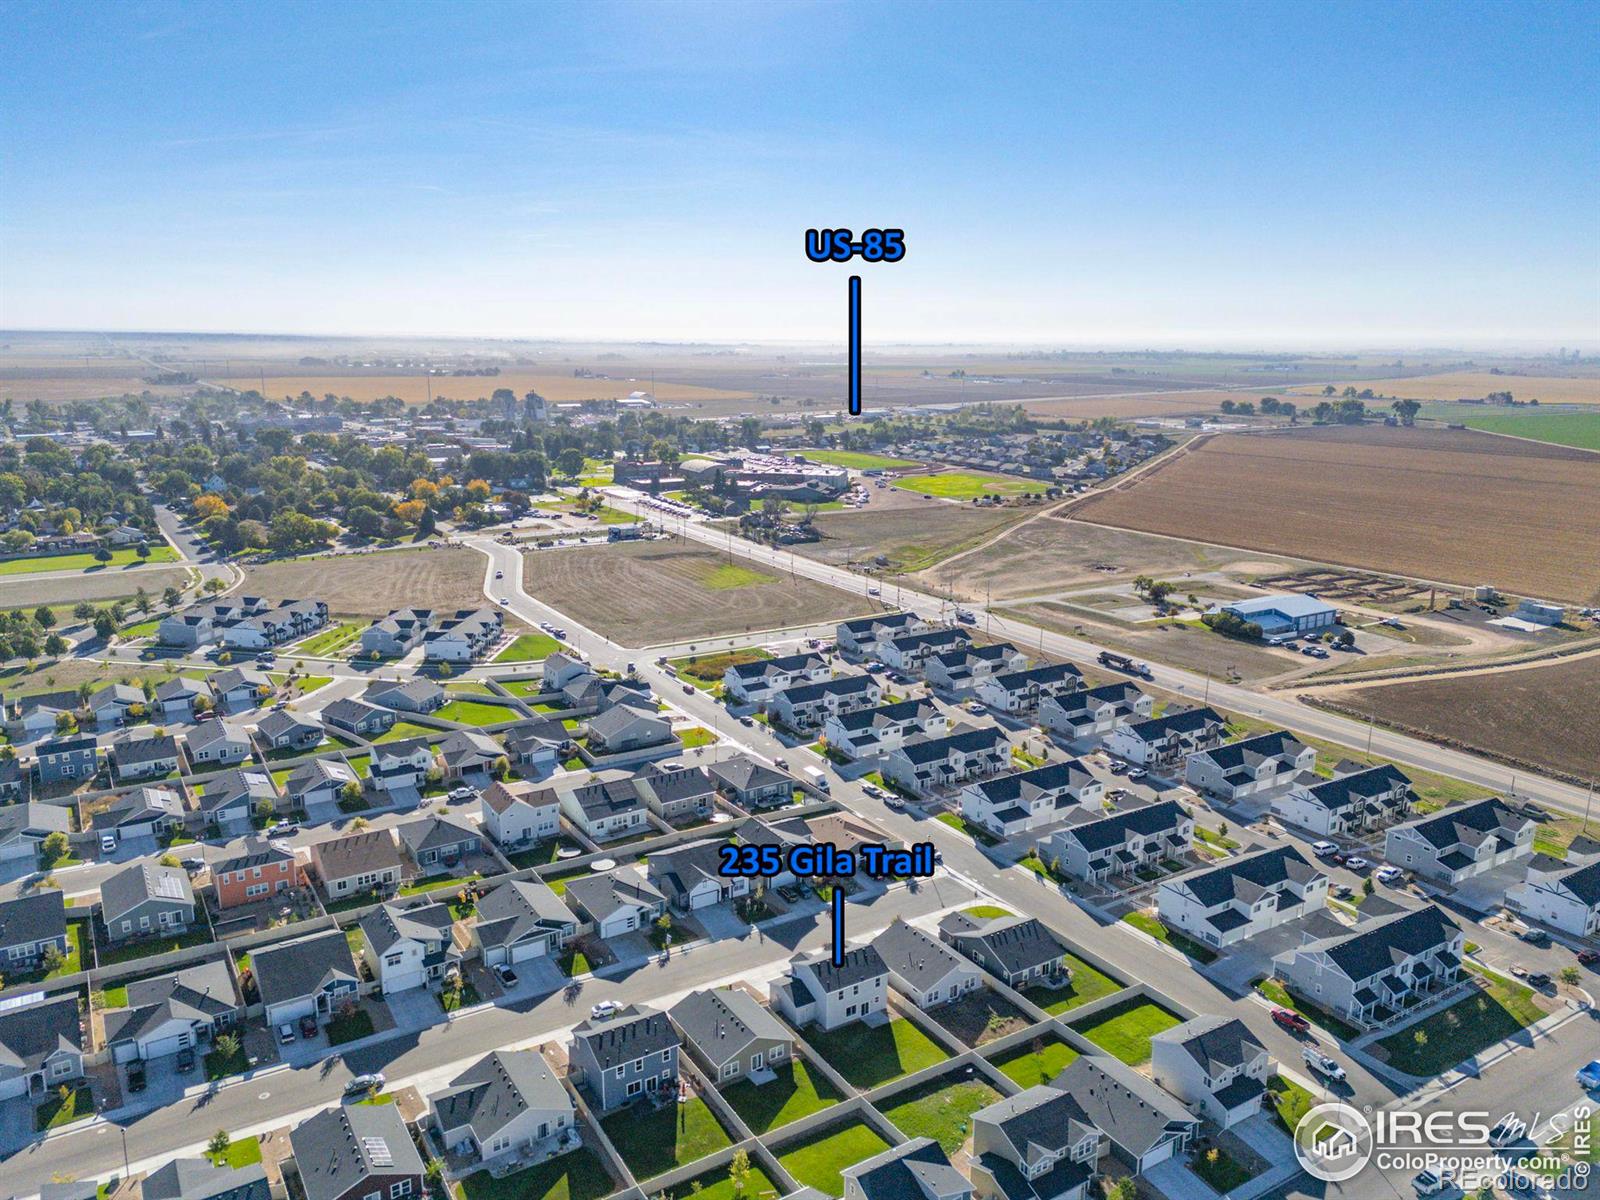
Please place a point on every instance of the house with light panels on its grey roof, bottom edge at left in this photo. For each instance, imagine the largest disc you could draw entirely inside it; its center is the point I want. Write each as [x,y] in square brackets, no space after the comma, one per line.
[356,1153]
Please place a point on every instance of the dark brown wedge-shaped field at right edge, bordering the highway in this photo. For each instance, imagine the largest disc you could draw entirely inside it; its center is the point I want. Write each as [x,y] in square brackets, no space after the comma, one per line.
[1543,718]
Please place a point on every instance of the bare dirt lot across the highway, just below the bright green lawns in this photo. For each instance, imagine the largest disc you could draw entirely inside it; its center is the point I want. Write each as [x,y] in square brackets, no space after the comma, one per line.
[913,535]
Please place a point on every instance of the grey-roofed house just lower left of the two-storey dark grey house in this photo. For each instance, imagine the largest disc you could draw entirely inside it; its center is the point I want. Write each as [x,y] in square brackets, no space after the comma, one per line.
[508,1103]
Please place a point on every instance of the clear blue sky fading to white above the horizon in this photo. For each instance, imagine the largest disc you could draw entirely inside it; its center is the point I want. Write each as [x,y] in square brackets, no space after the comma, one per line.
[1095,174]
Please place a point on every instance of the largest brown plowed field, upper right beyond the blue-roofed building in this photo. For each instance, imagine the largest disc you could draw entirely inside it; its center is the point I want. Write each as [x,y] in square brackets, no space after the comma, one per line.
[1436,505]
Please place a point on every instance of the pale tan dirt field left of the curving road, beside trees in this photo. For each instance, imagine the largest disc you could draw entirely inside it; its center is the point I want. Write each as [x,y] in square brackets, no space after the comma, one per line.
[372,585]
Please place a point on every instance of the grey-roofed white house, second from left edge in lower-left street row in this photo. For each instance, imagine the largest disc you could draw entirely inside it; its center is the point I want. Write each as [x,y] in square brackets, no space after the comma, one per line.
[174,1012]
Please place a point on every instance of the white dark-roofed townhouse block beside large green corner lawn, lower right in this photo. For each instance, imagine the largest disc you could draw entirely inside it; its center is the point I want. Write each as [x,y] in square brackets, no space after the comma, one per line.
[1374,972]
